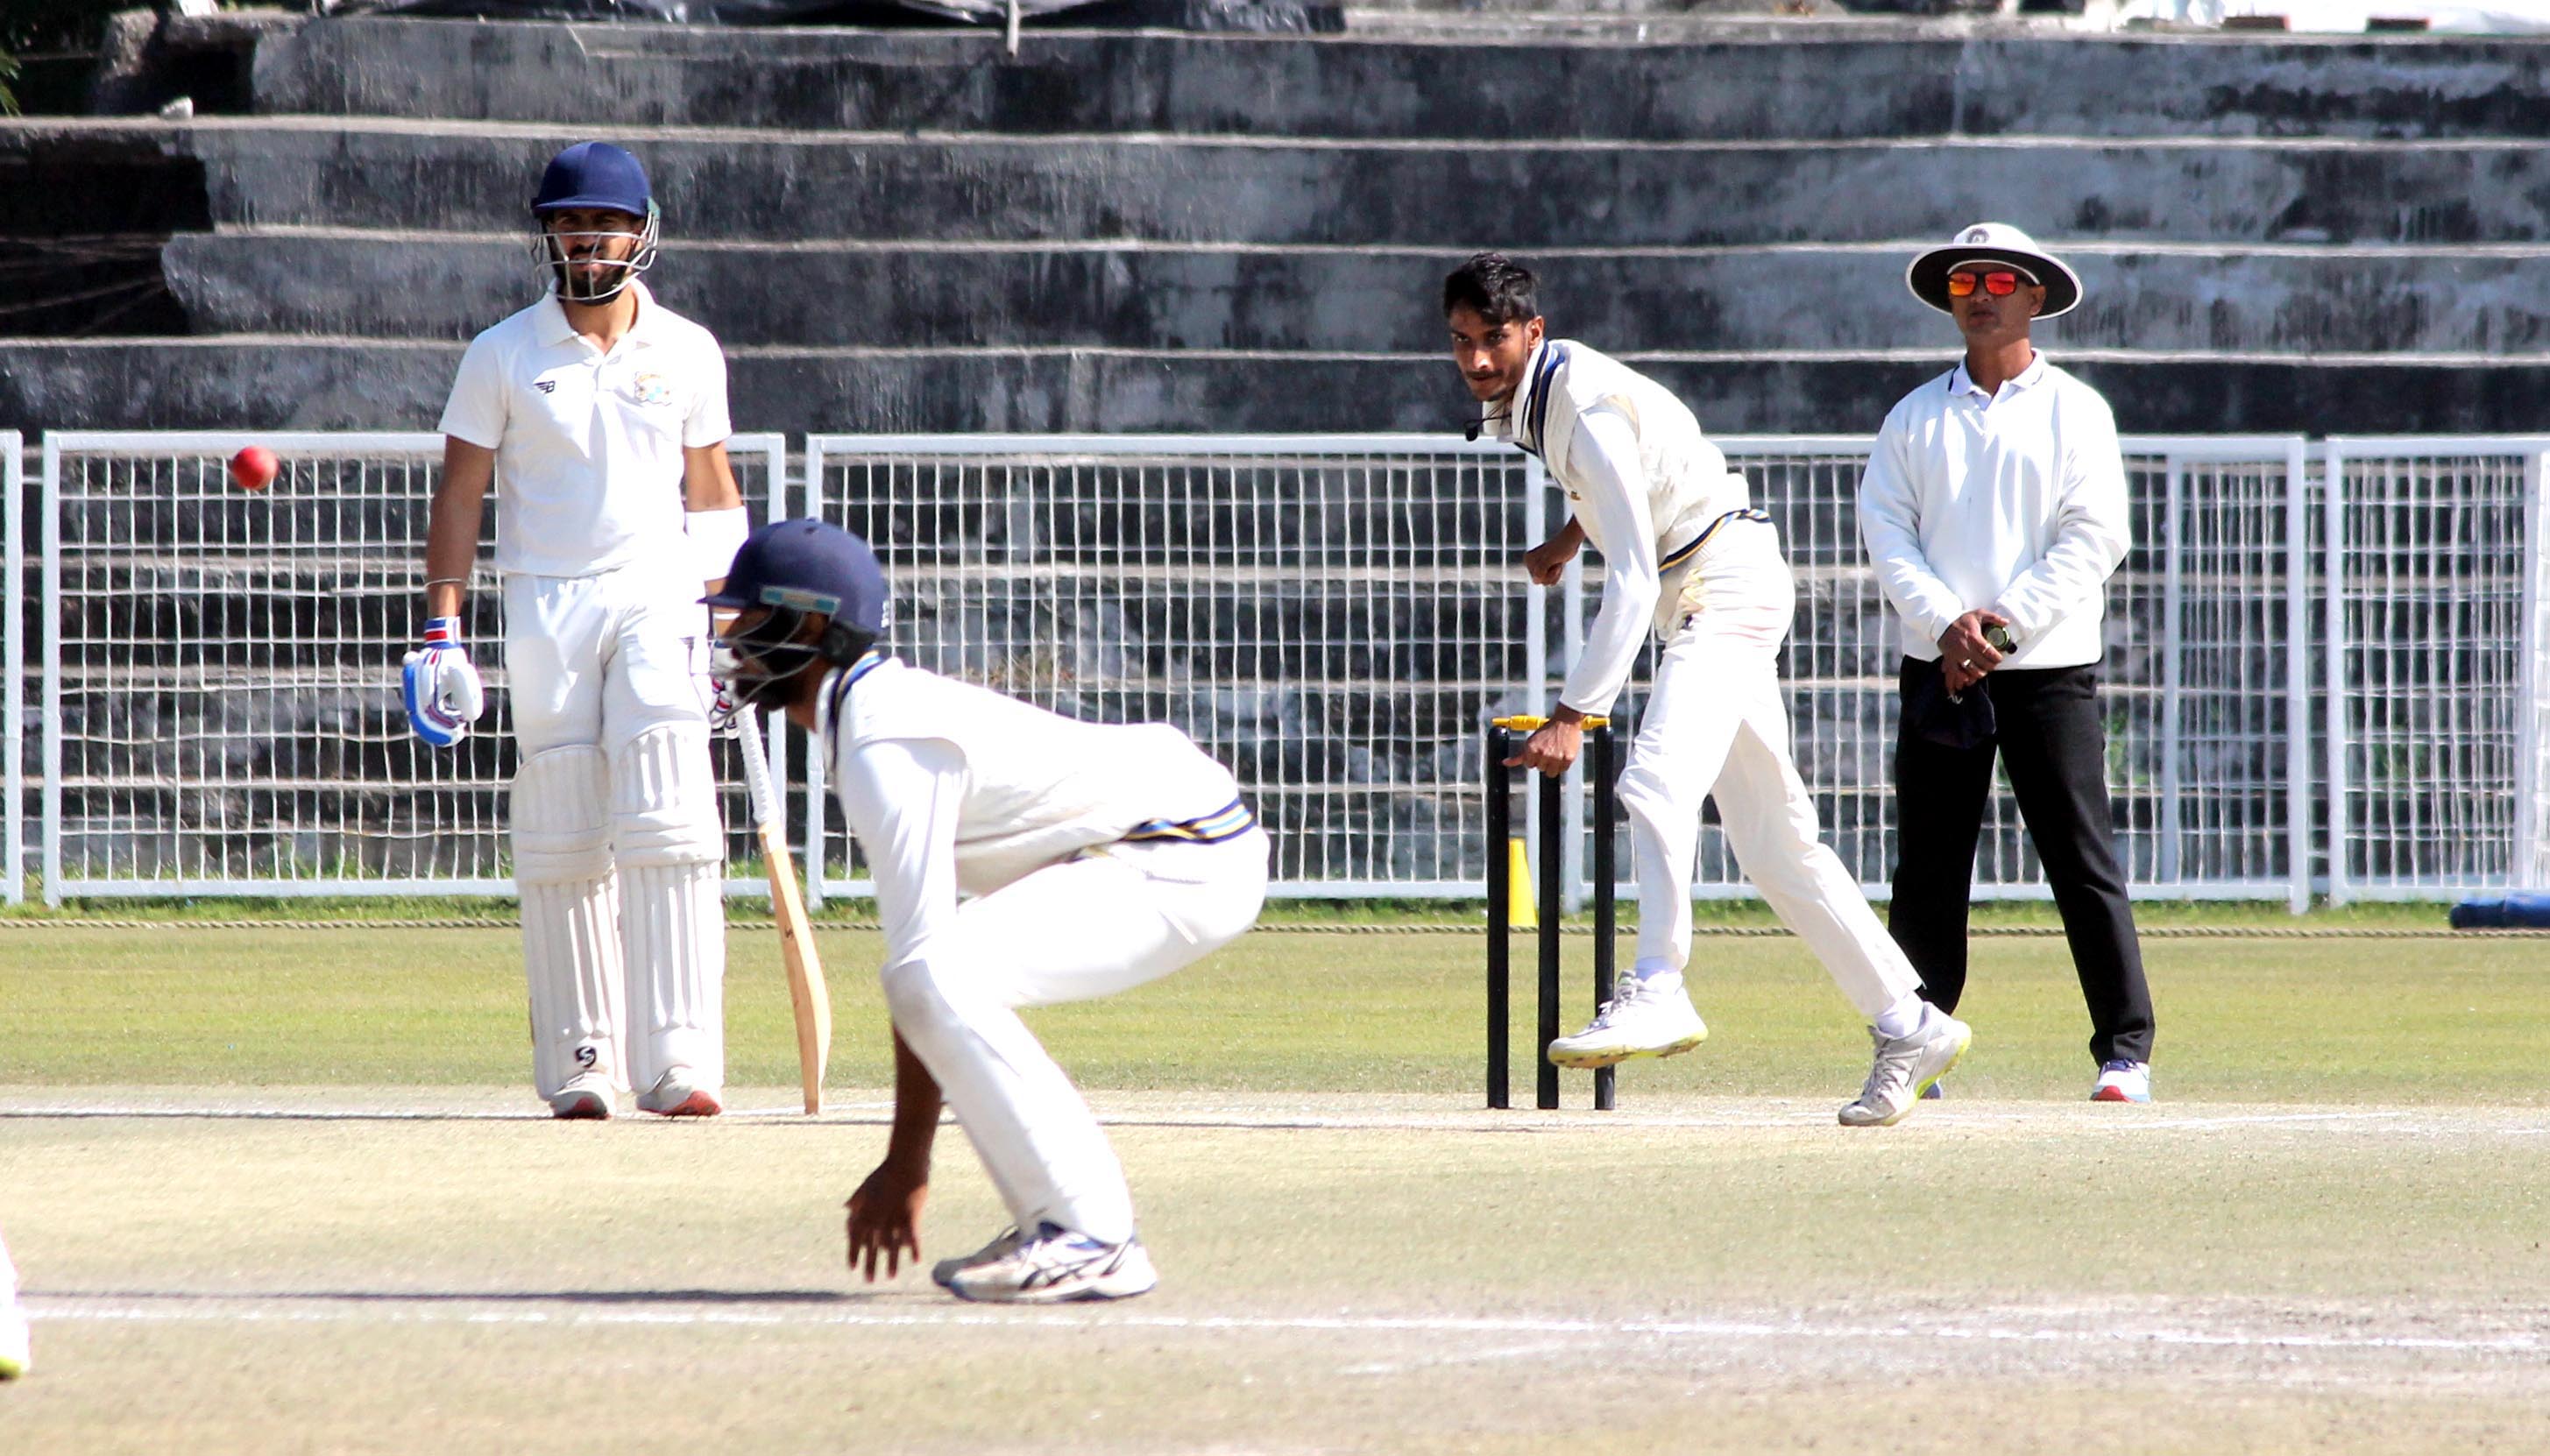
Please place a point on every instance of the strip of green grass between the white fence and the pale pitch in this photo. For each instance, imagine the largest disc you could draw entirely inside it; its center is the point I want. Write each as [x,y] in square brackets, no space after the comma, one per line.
[1355,1011]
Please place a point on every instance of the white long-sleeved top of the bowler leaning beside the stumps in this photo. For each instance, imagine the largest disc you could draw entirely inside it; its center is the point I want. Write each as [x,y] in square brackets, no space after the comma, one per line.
[1643,481]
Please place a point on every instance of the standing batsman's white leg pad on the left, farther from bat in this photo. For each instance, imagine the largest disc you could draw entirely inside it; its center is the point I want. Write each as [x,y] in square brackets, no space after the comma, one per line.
[562,866]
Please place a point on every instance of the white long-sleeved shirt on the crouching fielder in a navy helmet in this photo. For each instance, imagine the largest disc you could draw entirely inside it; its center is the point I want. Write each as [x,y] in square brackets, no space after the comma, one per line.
[958,789]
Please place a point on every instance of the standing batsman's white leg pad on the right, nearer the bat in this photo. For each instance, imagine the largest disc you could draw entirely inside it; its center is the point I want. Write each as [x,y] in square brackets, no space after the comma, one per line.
[674,922]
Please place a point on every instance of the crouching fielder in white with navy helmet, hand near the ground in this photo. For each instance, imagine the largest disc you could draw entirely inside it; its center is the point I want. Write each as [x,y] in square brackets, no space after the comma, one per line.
[1090,861]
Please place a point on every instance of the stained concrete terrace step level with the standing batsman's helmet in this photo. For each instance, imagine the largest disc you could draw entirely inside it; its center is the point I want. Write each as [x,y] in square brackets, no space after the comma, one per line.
[473,177]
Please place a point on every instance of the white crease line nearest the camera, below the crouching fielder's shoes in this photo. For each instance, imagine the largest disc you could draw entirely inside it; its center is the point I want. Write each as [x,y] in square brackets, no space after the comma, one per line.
[282,1309]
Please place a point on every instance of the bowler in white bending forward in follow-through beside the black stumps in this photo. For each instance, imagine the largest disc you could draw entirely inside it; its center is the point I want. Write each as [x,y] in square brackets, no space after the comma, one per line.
[1687,552]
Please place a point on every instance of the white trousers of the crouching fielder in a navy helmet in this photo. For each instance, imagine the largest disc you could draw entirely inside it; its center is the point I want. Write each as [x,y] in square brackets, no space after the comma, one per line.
[1093,927]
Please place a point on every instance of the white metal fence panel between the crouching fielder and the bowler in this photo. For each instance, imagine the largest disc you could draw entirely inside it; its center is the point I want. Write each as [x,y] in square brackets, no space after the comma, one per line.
[1335,618]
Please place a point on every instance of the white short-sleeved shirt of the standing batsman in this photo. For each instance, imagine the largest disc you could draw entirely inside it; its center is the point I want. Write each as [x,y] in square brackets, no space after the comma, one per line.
[588,445]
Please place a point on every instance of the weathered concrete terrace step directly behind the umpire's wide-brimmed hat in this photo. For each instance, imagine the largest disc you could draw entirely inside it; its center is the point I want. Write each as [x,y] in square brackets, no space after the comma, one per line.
[2289,300]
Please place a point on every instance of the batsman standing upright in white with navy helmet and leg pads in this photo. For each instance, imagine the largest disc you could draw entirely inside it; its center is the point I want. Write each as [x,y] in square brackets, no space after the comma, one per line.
[606,419]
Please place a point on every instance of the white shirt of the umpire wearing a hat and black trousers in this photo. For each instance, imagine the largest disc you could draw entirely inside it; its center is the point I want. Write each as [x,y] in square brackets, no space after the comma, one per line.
[2011,504]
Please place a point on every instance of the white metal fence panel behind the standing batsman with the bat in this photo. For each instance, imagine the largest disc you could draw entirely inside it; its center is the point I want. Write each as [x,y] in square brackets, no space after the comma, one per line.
[221,674]
